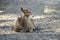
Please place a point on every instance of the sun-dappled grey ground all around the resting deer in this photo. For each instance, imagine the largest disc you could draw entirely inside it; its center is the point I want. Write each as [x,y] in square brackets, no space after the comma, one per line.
[46,16]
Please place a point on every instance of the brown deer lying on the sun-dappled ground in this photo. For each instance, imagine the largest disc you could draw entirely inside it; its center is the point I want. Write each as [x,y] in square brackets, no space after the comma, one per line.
[24,23]
